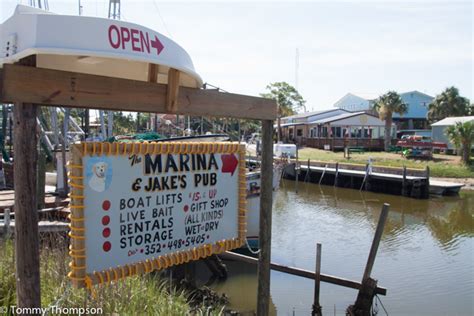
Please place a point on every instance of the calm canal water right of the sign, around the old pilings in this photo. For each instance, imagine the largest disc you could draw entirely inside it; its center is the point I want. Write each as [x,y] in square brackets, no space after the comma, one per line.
[425,258]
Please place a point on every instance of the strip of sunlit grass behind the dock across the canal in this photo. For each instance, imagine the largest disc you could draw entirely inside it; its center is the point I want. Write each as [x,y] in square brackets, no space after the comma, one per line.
[441,166]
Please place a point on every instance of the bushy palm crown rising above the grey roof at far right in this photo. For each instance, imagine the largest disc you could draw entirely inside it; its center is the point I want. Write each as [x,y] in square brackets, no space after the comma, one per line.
[448,103]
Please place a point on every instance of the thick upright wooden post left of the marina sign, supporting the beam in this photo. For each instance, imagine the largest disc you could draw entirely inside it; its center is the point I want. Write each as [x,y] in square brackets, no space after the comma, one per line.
[26,215]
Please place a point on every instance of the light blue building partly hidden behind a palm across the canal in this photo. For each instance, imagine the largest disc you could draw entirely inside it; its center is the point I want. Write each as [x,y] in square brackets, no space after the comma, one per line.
[416,101]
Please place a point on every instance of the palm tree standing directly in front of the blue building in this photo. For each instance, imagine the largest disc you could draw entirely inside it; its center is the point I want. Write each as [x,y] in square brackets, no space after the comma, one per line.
[386,105]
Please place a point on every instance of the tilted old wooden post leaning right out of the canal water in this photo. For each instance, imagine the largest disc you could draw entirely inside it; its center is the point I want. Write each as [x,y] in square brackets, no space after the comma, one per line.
[367,291]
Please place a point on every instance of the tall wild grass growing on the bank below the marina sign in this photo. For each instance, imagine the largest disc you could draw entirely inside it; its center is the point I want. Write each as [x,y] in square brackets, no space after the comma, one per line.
[150,294]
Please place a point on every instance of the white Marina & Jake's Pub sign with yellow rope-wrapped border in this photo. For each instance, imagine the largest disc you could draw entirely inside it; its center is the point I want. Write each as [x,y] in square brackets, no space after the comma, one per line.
[138,207]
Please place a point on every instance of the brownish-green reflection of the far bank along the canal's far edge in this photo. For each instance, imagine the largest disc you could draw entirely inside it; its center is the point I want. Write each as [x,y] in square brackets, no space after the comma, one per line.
[447,217]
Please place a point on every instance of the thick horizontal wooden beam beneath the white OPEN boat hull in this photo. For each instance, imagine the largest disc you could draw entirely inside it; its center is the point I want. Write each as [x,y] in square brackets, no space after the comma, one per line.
[62,88]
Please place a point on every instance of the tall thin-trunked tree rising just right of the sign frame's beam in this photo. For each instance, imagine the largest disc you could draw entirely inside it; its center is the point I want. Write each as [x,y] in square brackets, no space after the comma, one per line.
[287,98]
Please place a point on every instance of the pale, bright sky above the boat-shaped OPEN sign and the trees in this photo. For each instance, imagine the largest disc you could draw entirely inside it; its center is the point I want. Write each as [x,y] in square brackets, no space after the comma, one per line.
[365,48]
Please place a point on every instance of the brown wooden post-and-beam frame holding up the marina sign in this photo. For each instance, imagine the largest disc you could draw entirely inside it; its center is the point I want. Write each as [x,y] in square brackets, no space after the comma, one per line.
[28,86]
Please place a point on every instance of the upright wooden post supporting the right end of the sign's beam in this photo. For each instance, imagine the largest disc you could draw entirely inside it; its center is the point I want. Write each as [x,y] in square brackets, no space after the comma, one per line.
[265,233]
